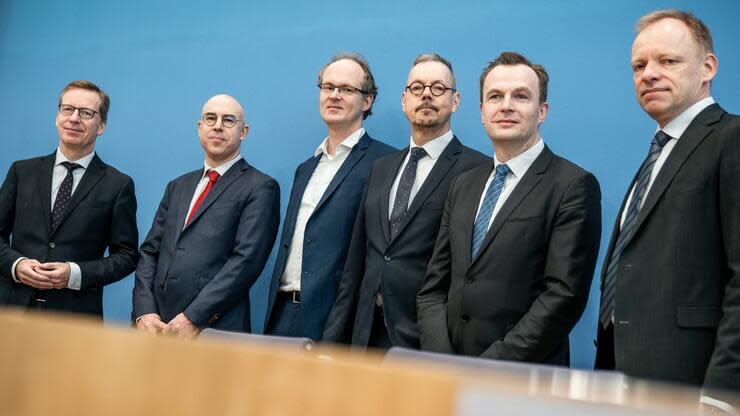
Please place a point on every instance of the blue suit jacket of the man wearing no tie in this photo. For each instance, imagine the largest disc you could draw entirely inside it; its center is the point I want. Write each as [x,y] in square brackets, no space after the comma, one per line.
[327,233]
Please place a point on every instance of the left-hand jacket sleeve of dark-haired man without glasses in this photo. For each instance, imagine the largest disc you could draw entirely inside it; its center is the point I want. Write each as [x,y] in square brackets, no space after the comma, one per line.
[431,302]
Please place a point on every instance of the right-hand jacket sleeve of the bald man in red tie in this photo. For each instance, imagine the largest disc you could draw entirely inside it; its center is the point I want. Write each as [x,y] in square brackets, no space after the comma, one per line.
[255,236]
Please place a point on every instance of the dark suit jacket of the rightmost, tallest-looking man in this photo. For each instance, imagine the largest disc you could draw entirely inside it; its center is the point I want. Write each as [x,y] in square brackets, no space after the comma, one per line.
[677,306]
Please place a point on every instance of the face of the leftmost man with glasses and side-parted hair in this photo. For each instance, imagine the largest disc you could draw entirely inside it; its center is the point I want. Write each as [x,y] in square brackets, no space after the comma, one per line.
[77,136]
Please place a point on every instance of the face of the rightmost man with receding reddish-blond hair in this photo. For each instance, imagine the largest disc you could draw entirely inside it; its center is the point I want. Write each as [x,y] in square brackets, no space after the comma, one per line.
[670,70]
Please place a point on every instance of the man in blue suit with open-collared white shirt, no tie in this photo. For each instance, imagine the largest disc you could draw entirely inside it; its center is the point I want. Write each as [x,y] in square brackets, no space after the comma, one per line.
[323,203]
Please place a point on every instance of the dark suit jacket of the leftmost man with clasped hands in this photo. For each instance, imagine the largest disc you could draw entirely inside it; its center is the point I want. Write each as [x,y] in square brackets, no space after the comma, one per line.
[100,215]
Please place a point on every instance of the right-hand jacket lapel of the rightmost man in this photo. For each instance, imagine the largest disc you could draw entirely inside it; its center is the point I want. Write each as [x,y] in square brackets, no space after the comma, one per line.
[697,131]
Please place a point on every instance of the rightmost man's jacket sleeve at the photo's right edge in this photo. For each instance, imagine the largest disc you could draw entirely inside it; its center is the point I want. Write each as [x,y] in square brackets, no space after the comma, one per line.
[723,371]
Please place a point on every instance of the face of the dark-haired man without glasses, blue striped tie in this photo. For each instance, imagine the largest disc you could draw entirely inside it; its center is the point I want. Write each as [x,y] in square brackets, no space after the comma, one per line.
[511,112]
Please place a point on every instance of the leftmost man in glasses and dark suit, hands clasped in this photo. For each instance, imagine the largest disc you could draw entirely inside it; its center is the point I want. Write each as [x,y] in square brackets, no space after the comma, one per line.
[60,213]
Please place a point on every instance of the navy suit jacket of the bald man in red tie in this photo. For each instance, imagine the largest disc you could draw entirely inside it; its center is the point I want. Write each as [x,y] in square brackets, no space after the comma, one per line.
[206,269]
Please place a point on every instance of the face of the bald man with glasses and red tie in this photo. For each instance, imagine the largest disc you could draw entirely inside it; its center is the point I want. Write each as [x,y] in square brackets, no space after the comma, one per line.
[220,143]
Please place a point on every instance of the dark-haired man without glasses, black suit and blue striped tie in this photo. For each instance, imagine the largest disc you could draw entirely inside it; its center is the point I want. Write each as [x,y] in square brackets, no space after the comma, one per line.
[517,246]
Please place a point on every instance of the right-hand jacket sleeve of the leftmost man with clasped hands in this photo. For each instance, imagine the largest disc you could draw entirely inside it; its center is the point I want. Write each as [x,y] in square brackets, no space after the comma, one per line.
[122,244]
